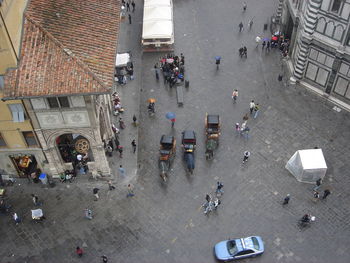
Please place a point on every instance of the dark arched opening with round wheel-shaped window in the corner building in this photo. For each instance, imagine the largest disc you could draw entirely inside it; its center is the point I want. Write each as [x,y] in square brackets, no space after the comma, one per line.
[75,149]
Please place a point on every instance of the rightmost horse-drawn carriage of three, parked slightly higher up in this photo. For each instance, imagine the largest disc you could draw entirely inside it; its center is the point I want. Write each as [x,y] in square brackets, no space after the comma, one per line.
[212,131]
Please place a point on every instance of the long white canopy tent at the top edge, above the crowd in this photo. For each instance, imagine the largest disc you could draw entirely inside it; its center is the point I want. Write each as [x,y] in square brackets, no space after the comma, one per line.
[158,21]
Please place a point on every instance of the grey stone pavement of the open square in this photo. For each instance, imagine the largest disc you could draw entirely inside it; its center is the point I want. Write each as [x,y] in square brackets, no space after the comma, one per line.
[165,222]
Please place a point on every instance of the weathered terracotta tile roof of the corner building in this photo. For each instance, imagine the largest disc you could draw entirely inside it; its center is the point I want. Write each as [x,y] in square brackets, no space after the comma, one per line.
[68,47]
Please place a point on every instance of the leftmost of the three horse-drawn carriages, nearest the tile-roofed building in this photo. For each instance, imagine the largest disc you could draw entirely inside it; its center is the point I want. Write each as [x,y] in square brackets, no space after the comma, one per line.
[167,153]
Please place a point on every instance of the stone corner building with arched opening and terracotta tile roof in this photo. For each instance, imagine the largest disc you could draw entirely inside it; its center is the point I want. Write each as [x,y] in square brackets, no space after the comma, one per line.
[65,77]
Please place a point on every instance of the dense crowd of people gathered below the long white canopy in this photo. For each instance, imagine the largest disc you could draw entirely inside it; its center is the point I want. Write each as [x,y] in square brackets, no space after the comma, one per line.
[173,68]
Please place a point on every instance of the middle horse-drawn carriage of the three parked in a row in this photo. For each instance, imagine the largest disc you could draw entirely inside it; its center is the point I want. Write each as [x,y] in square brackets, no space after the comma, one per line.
[189,146]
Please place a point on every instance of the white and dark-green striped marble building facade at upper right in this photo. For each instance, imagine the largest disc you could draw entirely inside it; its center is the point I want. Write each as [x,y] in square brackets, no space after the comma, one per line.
[319,36]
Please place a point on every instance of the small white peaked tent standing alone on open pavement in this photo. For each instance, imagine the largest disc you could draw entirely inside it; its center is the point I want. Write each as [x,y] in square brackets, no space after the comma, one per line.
[307,165]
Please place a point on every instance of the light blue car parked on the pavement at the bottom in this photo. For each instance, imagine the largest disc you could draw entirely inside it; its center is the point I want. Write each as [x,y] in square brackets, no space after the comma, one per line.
[239,248]
